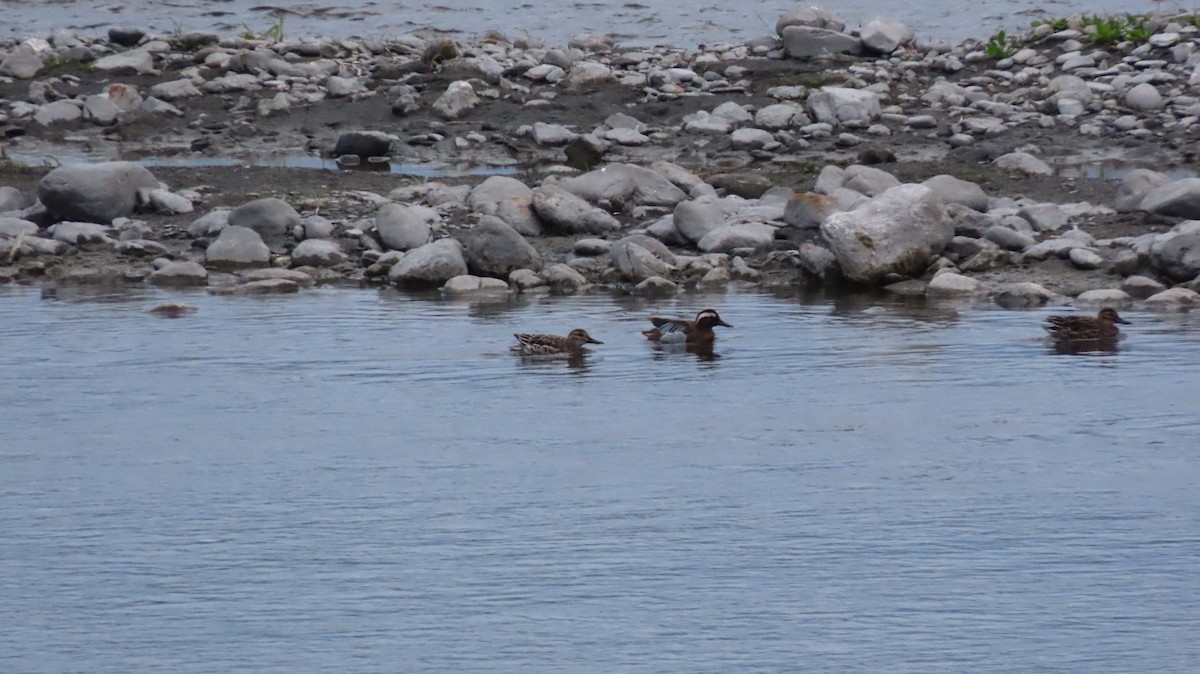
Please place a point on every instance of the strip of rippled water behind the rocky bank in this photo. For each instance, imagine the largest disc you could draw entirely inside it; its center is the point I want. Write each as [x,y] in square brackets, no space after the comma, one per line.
[685,23]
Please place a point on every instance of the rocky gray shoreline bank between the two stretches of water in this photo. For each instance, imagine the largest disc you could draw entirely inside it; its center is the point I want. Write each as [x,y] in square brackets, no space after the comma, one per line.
[812,158]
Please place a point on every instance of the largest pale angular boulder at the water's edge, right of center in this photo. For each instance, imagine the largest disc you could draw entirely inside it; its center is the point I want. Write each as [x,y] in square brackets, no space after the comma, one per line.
[897,233]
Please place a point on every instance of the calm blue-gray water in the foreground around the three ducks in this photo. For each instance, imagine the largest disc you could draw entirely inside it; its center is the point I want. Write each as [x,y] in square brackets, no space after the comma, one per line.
[364,482]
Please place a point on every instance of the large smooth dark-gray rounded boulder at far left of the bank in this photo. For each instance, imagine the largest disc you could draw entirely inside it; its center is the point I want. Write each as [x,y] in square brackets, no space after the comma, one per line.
[98,192]
